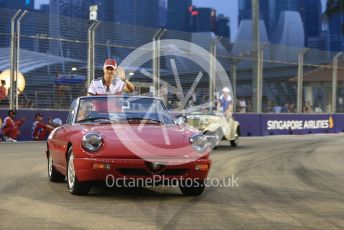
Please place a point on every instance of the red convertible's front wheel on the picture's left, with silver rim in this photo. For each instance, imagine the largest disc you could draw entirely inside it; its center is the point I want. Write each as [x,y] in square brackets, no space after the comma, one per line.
[75,187]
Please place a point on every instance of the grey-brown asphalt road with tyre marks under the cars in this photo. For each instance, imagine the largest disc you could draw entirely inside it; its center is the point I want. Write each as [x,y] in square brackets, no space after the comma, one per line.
[284,182]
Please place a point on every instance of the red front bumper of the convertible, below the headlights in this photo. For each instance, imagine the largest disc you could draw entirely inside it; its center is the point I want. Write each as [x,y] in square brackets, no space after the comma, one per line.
[93,169]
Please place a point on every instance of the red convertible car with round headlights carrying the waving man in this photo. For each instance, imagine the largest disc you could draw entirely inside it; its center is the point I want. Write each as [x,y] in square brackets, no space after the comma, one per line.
[126,138]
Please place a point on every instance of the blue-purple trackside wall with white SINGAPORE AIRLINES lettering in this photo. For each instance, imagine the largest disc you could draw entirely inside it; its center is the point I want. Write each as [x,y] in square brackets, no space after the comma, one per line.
[251,124]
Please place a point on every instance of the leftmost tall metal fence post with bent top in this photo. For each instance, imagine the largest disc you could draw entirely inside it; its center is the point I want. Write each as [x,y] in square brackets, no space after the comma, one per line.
[13,59]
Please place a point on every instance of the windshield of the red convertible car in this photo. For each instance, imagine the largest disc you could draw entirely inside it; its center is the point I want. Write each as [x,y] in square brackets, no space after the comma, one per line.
[118,109]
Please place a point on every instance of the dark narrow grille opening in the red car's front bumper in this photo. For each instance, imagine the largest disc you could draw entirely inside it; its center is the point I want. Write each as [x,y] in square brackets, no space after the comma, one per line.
[144,172]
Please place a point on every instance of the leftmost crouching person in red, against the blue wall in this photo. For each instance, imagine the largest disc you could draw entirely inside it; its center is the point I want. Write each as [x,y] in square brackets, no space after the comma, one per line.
[10,128]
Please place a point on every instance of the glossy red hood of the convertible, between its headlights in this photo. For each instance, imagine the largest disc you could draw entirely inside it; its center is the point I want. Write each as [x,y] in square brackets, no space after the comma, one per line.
[144,141]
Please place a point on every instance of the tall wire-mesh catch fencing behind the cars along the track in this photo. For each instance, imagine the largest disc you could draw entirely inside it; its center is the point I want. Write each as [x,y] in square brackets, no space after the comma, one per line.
[58,57]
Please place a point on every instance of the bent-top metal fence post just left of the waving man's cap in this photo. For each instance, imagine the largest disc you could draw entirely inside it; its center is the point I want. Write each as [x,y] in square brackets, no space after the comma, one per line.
[90,52]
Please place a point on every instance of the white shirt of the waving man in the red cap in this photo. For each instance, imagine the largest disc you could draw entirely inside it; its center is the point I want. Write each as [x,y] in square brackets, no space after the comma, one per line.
[97,87]
